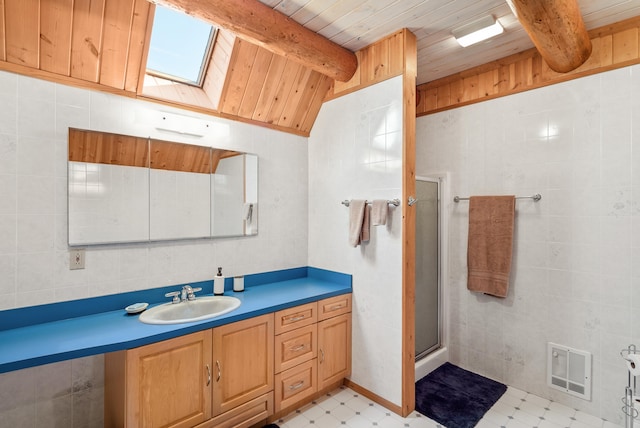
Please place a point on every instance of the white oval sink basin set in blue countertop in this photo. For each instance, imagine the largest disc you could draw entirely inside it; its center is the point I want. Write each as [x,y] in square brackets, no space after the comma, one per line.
[201,308]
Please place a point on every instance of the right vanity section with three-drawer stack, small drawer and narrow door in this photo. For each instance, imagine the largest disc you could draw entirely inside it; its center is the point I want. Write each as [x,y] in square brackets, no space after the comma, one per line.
[313,349]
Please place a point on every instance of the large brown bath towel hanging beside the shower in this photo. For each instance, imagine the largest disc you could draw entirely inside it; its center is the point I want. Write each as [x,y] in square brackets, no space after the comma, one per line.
[491,220]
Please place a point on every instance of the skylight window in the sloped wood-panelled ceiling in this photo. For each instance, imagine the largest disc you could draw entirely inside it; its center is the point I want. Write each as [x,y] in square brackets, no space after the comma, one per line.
[180,46]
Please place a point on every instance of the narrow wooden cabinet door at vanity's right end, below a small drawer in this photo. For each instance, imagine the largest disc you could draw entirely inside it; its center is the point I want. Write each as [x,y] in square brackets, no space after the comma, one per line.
[334,350]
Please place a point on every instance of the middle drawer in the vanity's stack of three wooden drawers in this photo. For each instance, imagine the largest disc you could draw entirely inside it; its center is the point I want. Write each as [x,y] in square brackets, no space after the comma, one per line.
[295,347]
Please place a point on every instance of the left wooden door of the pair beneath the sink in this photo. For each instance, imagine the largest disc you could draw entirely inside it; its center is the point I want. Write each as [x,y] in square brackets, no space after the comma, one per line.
[169,382]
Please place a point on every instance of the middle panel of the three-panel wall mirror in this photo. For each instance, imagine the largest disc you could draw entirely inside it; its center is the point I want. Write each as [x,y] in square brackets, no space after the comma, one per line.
[180,191]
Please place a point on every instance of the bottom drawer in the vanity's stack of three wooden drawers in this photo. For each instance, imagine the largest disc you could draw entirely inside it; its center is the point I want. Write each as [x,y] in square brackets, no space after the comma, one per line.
[296,384]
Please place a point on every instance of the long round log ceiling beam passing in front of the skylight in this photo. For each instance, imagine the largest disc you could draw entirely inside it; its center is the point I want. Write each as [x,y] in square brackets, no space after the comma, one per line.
[266,27]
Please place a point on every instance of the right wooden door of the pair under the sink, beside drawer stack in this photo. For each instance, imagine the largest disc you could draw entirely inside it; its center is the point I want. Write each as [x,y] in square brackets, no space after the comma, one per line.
[242,362]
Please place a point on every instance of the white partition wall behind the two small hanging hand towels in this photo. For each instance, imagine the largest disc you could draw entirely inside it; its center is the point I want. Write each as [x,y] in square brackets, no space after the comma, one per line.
[355,152]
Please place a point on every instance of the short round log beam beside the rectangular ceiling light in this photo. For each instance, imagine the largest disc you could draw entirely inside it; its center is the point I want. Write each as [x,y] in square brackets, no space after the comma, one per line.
[557,30]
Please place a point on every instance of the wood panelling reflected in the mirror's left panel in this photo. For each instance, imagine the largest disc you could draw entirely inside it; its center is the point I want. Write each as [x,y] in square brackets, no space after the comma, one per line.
[106,148]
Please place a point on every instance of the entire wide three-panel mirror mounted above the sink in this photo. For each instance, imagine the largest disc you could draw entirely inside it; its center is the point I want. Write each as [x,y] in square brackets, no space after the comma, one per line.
[130,189]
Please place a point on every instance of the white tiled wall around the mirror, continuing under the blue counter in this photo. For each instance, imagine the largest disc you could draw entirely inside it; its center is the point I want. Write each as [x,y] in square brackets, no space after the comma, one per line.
[34,261]
